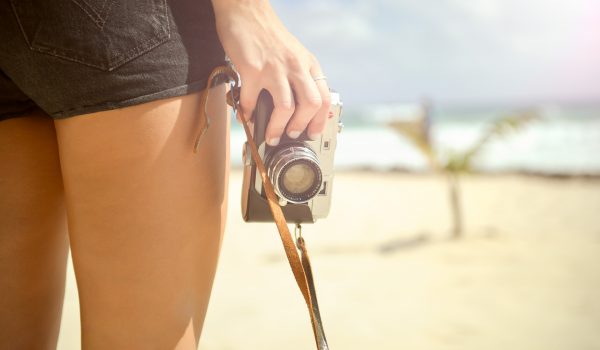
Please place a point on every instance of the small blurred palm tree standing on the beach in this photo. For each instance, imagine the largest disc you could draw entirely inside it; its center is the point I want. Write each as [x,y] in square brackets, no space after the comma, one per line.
[457,163]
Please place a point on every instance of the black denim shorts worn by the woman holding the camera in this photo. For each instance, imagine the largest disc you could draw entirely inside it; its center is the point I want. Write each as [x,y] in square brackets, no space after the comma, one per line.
[72,57]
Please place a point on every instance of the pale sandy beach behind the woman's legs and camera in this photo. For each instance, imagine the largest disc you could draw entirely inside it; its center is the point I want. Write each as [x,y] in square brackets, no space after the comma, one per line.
[526,274]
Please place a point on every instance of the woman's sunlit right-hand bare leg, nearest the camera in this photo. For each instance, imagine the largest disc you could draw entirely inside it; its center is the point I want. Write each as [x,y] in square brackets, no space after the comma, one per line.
[146,217]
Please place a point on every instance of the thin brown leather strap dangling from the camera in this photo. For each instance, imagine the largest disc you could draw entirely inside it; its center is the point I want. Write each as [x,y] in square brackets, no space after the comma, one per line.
[301,267]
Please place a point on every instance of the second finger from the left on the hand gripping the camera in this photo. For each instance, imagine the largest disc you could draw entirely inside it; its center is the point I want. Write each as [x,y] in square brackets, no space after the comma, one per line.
[283,108]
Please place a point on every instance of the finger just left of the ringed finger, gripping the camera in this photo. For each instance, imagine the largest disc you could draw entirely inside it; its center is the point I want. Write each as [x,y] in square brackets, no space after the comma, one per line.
[308,102]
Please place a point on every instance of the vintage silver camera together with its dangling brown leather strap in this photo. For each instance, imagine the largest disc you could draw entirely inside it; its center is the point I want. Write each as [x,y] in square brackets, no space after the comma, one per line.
[282,182]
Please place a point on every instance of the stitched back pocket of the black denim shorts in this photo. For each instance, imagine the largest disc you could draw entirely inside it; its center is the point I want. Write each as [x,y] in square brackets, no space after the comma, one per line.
[104,34]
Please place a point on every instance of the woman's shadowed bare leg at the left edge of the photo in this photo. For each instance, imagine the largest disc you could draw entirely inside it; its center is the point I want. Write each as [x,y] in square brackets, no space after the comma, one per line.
[33,234]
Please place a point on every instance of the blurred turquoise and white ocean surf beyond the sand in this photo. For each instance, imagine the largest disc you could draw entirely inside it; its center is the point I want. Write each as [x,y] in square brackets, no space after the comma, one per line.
[563,140]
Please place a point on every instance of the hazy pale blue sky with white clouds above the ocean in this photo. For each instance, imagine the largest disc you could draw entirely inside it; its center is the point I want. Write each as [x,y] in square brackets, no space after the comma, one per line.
[461,52]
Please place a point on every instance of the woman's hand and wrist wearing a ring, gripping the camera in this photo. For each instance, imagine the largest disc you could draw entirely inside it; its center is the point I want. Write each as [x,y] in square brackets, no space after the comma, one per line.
[267,56]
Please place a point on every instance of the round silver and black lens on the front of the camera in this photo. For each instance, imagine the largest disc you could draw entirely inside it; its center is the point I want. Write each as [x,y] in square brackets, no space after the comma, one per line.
[295,173]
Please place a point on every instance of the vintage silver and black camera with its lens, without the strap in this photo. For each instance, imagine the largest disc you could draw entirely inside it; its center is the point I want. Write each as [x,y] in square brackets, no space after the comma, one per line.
[301,170]
